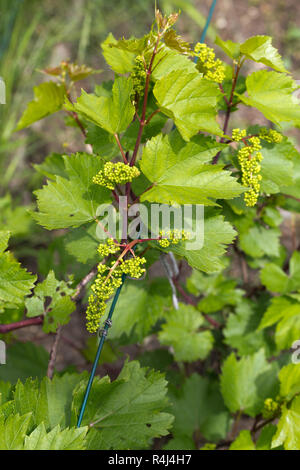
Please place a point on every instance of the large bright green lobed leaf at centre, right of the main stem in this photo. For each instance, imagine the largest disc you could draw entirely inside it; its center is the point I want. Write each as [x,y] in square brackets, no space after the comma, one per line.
[180,171]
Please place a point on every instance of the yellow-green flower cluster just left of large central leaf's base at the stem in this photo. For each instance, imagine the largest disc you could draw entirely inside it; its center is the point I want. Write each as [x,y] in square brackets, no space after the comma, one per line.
[115,173]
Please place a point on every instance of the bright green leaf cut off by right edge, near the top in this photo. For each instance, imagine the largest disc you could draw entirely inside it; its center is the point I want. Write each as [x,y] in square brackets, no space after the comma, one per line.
[272,94]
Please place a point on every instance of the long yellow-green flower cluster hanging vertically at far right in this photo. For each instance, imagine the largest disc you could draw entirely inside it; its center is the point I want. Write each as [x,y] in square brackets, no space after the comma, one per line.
[249,158]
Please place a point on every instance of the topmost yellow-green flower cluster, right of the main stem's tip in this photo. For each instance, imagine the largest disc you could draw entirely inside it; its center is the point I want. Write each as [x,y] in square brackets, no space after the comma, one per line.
[212,68]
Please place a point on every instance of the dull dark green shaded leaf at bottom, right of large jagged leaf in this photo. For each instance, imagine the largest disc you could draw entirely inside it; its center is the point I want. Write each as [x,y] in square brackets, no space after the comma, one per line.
[198,406]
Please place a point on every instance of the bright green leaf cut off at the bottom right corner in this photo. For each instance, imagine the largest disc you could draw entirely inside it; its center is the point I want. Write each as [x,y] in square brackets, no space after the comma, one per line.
[288,428]
